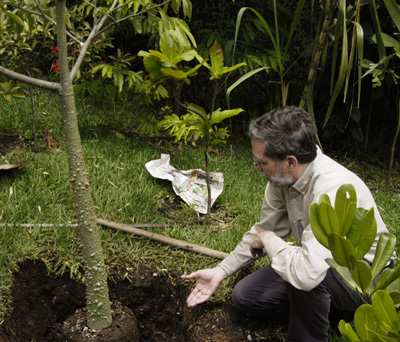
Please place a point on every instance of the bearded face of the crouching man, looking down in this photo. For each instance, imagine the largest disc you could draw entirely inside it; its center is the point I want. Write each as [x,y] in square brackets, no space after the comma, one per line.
[276,172]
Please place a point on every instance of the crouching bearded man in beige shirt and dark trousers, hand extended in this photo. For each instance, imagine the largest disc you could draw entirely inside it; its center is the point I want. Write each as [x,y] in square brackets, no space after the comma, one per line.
[298,286]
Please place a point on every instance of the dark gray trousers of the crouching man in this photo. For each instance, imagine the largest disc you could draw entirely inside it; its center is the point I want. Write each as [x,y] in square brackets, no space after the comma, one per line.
[308,314]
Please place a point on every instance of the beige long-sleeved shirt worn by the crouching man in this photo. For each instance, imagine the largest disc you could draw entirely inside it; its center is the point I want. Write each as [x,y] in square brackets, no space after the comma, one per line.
[286,210]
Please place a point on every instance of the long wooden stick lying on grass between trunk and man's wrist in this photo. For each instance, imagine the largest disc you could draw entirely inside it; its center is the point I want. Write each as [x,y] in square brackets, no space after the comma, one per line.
[164,239]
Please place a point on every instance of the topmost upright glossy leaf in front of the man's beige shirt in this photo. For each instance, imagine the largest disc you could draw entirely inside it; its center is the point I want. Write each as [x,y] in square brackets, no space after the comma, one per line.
[345,207]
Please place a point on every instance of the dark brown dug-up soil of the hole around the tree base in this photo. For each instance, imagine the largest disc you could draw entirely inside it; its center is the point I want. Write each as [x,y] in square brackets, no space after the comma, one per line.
[41,305]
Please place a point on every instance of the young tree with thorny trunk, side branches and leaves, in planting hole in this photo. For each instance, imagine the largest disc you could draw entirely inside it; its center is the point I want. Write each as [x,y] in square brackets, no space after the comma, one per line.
[98,303]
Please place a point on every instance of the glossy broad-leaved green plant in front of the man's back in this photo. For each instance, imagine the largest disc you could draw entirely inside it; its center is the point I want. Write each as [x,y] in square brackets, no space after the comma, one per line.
[349,232]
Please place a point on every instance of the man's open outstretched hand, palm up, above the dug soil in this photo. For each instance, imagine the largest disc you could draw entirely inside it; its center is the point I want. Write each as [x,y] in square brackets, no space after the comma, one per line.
[209,280]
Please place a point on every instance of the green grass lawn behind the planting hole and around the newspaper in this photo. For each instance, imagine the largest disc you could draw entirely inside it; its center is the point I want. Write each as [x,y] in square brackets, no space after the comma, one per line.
[123,191]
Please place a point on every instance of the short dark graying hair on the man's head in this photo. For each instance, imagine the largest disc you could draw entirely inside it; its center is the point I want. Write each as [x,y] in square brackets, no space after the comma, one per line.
[287,131]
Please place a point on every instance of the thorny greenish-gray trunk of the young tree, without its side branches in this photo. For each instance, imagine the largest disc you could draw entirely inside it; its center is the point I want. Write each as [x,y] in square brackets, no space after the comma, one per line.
[97,296]
